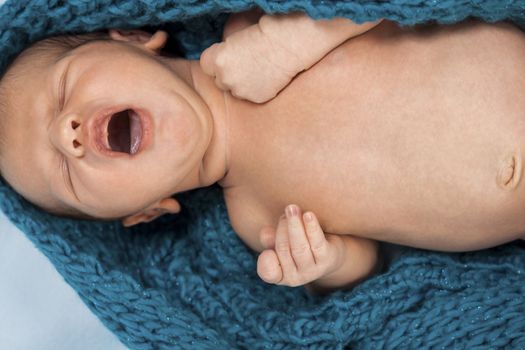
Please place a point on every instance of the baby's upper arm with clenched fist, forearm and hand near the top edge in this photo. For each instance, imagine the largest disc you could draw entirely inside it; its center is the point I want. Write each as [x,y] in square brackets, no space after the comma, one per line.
[259,60]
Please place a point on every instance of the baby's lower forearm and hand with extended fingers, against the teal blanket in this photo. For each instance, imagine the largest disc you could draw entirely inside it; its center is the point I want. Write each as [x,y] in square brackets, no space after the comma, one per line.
[298,253]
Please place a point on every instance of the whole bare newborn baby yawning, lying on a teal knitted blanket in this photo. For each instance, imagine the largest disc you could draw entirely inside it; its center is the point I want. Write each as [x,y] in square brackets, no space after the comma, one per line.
[406,135]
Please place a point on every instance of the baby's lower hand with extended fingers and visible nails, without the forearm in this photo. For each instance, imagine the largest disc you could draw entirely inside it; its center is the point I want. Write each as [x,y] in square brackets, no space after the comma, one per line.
[298,252]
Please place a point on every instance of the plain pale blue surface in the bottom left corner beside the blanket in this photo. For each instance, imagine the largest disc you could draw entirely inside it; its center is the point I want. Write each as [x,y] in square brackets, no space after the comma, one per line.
[38,310]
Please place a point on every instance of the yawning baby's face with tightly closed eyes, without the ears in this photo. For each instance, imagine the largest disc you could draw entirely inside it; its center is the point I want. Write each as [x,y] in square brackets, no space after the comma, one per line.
[105,129]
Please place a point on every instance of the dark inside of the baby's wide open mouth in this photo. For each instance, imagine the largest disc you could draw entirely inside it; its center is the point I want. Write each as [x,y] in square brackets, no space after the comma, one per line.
[125,132]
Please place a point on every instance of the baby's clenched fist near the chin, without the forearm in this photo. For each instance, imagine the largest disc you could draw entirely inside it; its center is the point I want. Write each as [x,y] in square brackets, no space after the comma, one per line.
[250,64]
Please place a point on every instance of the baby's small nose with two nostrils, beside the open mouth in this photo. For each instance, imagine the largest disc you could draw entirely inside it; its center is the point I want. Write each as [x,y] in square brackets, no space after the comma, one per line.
[66,135]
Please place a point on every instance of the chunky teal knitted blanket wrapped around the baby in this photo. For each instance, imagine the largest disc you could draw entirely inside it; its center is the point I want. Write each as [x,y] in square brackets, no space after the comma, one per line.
[187,281]
